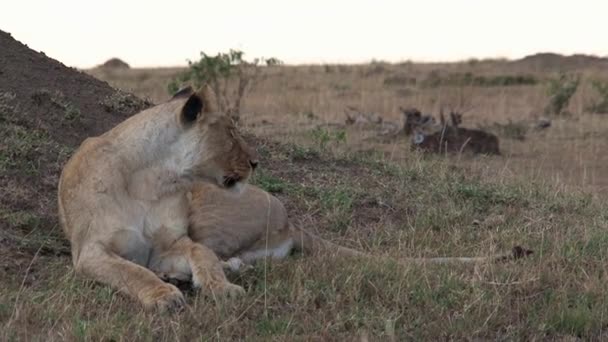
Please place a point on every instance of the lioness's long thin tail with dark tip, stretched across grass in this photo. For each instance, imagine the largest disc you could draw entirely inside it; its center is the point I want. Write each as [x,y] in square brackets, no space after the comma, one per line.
[309,243]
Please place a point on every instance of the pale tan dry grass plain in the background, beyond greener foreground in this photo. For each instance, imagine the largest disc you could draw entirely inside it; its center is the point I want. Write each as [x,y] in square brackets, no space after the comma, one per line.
[290,102]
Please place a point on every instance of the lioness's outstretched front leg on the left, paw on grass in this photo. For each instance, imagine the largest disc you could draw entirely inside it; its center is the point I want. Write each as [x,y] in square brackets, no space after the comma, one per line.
[138,282]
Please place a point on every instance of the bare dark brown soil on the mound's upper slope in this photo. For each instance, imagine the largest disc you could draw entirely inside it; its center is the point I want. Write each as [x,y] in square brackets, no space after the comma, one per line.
[36,79]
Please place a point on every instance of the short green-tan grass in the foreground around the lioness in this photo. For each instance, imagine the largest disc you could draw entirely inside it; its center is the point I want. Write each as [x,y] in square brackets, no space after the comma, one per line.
[427,208]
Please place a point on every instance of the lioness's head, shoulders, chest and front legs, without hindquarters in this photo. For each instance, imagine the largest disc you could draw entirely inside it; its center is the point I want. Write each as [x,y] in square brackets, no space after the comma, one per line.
[122,197]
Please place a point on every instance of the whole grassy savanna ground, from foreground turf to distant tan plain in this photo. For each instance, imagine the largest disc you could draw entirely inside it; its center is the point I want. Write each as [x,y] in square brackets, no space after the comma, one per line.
[546,192]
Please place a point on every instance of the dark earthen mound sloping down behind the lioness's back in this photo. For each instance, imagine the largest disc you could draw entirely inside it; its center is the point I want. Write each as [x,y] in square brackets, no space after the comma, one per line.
[46,110]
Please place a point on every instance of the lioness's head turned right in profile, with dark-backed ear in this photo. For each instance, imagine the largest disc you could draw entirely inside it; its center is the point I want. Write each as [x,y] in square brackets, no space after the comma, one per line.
[217,151]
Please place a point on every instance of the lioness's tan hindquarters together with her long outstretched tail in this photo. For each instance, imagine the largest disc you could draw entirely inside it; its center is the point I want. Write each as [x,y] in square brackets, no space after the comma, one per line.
[243,228]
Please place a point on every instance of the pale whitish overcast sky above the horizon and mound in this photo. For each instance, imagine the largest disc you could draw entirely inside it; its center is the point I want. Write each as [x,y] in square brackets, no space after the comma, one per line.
[84,33]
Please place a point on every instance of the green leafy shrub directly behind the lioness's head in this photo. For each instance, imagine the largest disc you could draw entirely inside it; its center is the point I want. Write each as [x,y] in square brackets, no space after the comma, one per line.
[229,75]
